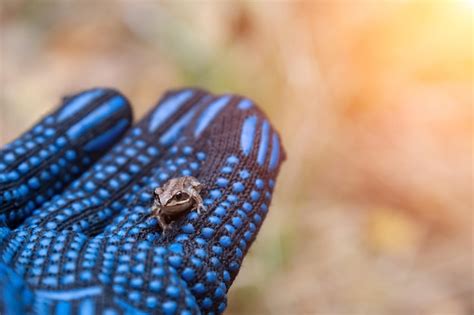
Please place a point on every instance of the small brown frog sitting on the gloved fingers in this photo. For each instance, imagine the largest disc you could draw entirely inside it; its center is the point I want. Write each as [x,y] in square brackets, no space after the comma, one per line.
[175,198]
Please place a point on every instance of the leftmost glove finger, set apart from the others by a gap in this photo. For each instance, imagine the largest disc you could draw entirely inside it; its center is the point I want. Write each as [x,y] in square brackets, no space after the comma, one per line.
[41,162]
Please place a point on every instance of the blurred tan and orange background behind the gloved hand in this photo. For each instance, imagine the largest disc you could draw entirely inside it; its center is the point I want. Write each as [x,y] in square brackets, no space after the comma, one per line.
[373,210]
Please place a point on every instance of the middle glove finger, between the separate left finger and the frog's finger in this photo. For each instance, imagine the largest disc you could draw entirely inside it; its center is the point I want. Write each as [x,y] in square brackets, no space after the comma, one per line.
[89,202]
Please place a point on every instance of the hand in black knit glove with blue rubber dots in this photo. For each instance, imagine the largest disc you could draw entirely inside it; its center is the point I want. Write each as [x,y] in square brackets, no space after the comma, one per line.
[76,230]
